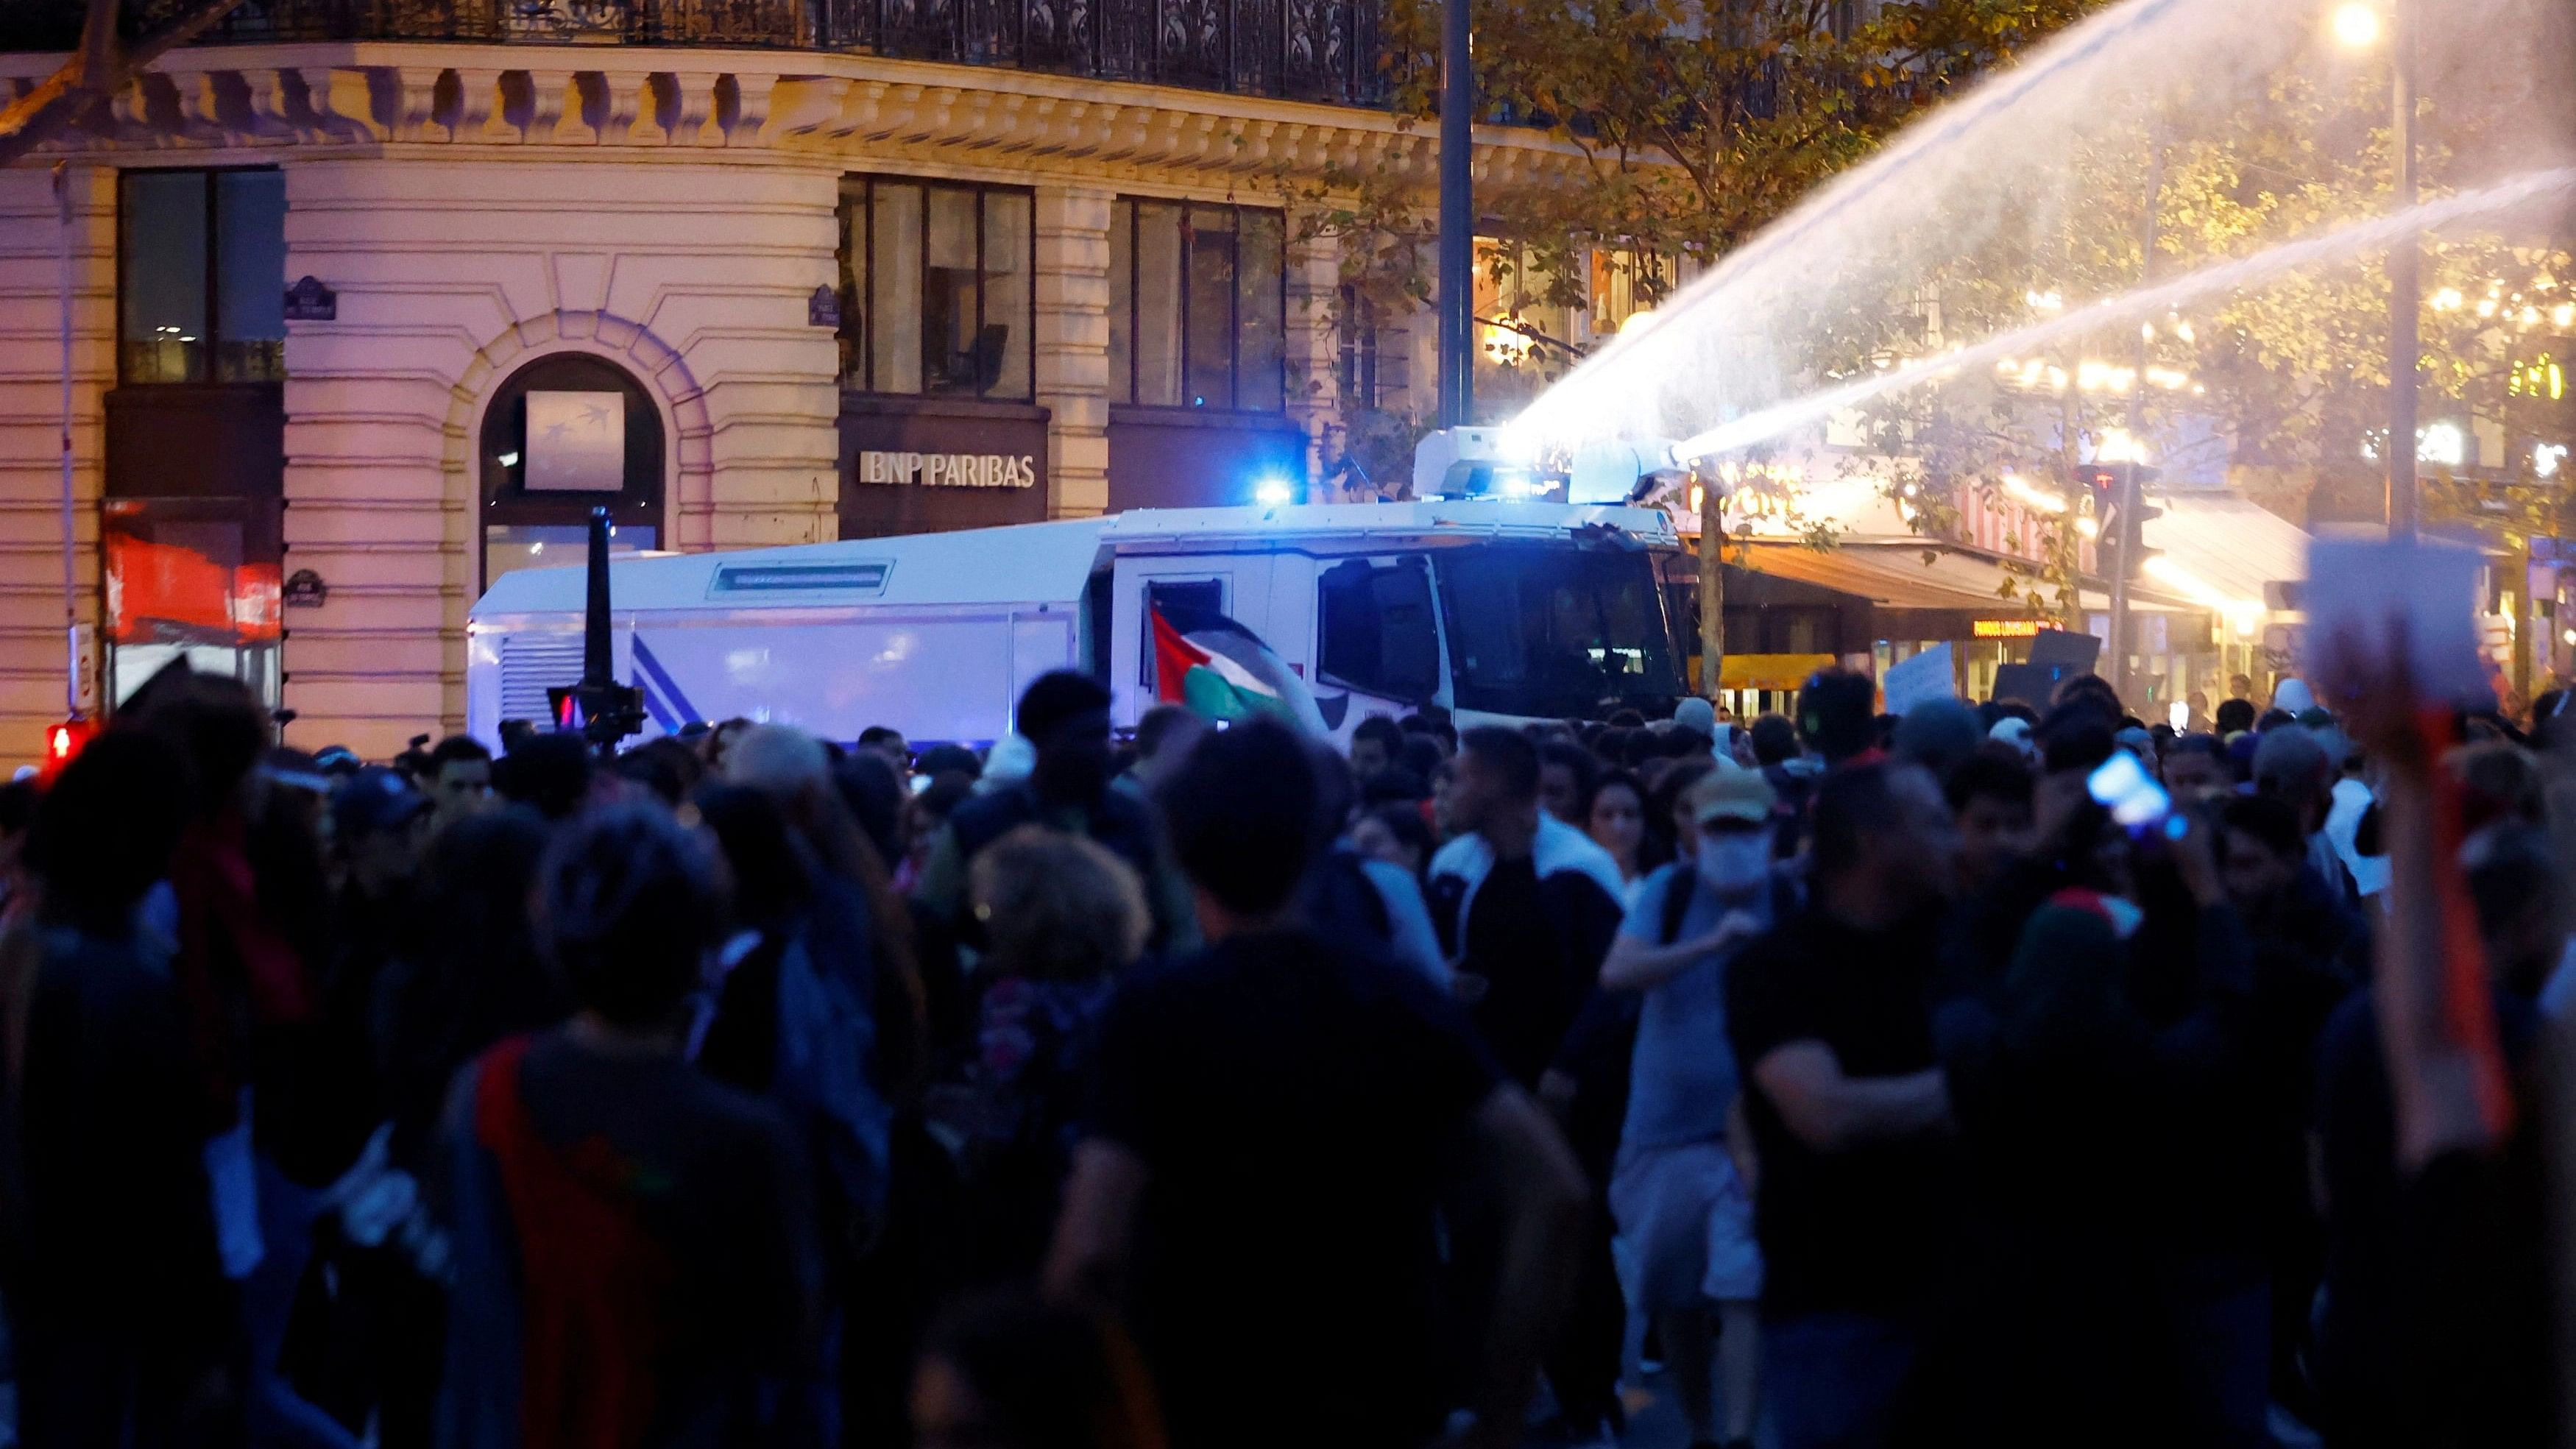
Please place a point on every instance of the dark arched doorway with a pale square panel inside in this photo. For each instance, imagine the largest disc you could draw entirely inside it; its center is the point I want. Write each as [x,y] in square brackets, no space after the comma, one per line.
[563,436]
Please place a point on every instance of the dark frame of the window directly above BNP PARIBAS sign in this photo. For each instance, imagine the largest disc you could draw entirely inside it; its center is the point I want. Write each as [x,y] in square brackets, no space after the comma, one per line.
[857,217]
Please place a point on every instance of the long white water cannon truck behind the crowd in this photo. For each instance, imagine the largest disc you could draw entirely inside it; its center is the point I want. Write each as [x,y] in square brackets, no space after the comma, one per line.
[936,634]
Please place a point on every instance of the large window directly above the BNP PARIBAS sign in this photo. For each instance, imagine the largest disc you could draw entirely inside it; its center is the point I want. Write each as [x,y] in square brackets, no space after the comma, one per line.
[936,290]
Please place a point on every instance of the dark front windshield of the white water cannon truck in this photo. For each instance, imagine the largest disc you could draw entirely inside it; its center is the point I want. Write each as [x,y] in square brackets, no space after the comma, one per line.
[1552,632]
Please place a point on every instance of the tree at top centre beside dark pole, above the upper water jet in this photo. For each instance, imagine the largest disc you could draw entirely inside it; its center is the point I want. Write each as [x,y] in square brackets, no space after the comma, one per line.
[1699,125]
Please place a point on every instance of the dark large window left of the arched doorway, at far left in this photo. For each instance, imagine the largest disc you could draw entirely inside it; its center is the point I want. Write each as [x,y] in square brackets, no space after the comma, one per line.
[202,277]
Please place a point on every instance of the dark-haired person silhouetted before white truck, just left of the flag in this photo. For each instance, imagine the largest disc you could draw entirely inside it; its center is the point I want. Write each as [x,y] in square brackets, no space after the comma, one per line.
[1065,717]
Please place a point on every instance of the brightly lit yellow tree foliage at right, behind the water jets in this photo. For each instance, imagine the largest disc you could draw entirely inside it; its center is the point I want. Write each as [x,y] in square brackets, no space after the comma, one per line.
[2284,382]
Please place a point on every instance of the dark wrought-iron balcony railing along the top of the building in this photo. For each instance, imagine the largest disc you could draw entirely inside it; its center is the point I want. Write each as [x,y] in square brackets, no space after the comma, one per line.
[1305,50]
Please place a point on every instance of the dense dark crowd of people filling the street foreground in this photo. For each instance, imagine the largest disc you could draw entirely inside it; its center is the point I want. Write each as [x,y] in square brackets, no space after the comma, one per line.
[1972,1077]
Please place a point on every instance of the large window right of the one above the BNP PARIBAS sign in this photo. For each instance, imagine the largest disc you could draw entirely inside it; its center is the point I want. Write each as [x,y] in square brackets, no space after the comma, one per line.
[1199,302]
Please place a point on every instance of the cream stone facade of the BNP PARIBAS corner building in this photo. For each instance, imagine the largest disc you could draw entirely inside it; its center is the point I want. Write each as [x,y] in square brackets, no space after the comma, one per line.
[354,323]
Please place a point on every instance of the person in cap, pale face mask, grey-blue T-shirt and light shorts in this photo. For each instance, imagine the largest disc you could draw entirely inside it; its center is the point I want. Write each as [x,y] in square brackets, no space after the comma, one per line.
[1678,1193]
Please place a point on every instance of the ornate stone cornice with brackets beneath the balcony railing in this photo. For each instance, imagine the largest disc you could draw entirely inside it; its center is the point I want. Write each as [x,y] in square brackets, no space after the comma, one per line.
[761,107]
